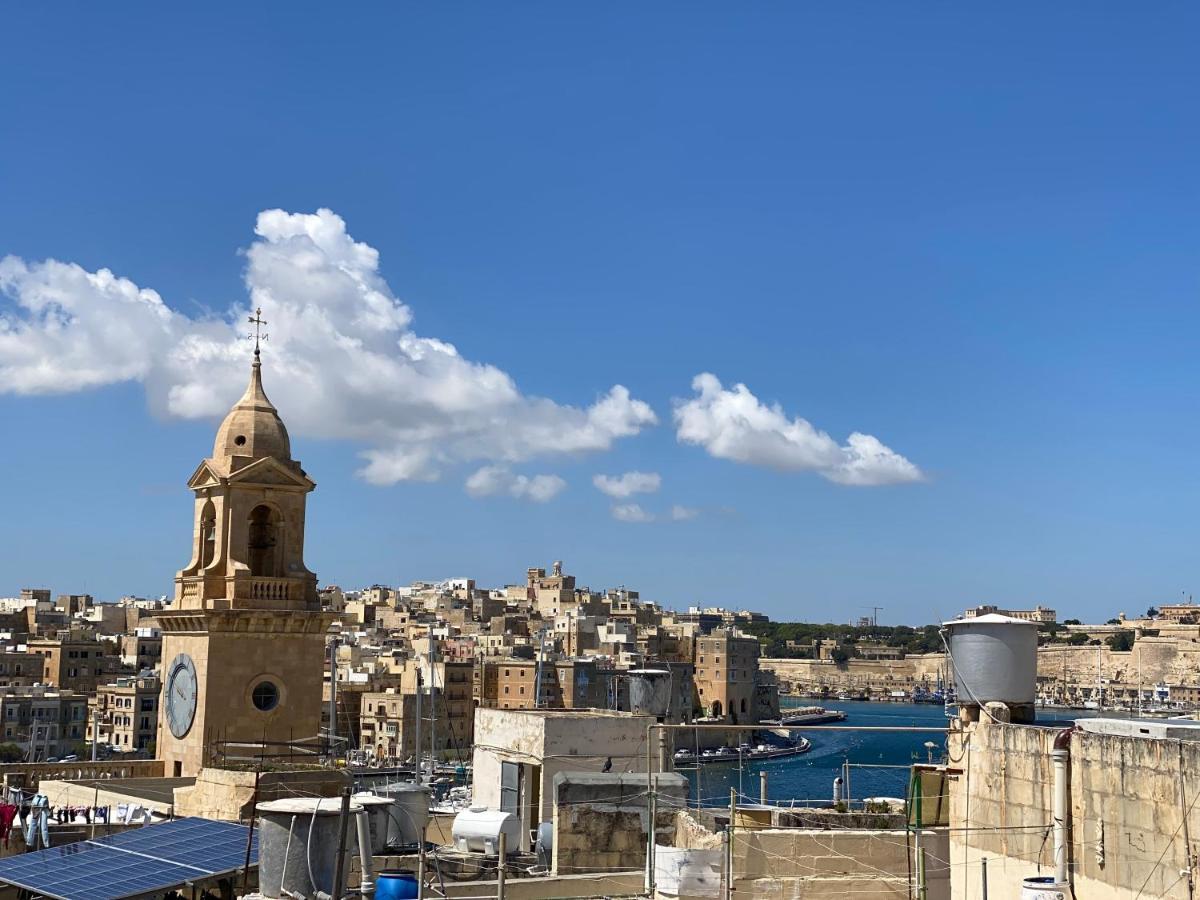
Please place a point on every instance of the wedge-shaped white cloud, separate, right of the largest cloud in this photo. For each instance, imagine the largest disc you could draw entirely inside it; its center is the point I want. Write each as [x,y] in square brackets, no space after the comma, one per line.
[734,424]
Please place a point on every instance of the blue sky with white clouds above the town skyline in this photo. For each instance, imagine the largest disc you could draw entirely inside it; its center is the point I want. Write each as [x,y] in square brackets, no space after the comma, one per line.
[968,233]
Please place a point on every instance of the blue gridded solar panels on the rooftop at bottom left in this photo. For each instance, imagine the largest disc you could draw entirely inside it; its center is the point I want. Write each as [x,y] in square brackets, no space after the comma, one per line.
[137,862]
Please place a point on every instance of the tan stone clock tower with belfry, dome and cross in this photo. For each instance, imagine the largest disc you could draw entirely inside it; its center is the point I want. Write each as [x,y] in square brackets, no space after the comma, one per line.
[244,643]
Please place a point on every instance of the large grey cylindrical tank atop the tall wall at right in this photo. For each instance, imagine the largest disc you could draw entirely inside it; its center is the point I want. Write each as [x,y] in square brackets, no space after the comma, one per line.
[995,659]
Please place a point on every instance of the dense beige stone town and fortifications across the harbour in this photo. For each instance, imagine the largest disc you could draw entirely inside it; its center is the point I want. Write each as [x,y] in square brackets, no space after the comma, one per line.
[82,679]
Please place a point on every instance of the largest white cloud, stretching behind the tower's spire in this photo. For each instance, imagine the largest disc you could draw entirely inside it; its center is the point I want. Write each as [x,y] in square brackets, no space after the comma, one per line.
[343,361]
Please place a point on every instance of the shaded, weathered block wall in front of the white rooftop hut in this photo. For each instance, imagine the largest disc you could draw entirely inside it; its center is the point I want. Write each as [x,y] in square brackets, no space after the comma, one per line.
[602,821]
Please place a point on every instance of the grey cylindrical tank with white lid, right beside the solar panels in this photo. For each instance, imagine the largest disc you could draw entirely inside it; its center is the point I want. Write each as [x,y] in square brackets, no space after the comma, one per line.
[298,838]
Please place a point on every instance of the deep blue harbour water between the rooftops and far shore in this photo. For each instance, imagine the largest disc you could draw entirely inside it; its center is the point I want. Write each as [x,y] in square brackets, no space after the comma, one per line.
[809,777]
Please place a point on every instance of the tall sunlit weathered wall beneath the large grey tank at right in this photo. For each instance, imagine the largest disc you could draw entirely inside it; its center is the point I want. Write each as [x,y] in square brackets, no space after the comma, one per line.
[1127,813]
